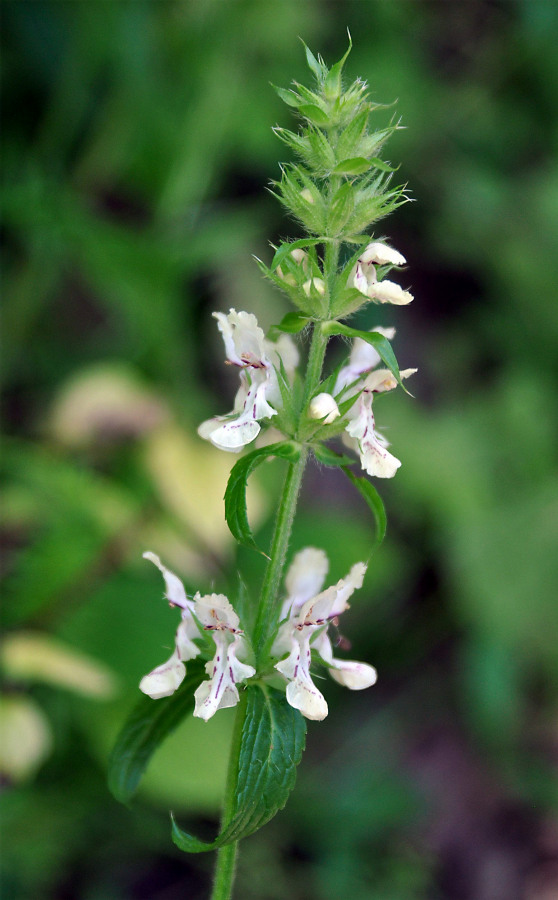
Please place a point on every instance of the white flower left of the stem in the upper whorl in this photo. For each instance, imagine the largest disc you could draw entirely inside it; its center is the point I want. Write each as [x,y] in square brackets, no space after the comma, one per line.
[247,348]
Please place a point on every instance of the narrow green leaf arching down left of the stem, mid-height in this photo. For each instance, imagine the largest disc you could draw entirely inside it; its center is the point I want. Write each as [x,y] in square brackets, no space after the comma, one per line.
[235,494]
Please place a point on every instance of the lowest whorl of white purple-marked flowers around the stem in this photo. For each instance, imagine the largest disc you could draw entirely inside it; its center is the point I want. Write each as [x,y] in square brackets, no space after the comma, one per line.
[305,618]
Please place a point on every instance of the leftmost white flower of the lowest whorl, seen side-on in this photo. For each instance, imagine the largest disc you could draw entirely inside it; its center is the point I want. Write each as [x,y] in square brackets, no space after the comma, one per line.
[166,678]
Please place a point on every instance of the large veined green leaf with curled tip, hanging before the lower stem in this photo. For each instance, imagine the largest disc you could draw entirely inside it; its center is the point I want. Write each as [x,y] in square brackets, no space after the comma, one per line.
[272,742]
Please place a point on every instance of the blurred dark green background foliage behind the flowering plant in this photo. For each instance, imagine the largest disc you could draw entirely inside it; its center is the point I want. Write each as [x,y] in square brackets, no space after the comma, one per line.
[137,148]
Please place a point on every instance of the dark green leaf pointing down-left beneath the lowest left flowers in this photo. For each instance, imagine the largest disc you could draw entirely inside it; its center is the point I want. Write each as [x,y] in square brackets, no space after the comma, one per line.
[150,722]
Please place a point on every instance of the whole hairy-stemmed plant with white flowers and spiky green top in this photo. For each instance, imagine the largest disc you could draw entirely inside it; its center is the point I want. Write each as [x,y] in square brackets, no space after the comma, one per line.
[339,188]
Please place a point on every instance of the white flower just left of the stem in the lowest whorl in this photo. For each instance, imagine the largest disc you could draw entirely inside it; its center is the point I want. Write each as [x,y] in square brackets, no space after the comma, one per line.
[216,614]
